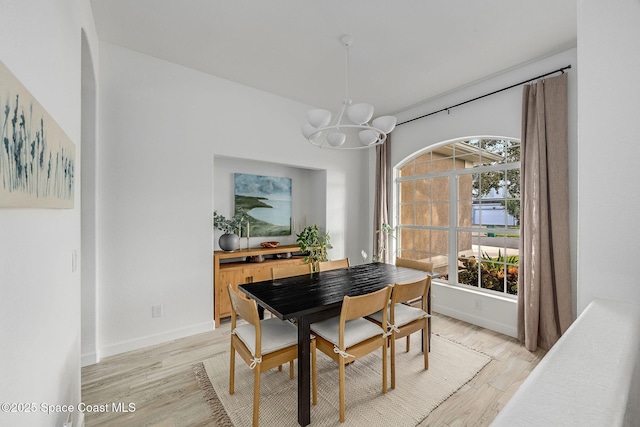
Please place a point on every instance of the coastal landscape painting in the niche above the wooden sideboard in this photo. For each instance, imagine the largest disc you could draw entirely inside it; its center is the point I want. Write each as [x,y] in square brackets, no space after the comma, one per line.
[265,202]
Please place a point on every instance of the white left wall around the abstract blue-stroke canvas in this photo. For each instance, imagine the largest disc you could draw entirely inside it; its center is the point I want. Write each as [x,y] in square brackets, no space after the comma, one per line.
[40,294]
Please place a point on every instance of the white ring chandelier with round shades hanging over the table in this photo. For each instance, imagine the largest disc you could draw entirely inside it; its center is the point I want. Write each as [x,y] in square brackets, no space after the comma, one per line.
[351,128]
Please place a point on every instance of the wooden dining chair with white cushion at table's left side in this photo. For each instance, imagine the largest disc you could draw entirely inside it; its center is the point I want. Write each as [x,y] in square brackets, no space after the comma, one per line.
[263,344]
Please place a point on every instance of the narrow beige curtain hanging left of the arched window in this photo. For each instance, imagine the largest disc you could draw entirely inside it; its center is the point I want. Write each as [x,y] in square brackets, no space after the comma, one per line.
[381,202]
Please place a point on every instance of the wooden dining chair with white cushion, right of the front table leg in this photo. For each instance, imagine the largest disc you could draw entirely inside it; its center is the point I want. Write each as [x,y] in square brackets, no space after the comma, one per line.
[348,337]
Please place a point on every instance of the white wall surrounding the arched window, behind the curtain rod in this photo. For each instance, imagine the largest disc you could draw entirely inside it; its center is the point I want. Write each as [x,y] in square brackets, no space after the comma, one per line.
[498,115]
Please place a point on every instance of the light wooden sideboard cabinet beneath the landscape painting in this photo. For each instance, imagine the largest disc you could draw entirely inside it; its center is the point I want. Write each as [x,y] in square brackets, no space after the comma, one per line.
[231,268]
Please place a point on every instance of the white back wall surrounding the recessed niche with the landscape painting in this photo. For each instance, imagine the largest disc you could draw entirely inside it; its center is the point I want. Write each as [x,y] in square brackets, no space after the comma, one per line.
[161,125]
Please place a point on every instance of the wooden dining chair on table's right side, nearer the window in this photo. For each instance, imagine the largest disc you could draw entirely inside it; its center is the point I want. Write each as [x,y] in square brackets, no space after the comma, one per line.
[405,319]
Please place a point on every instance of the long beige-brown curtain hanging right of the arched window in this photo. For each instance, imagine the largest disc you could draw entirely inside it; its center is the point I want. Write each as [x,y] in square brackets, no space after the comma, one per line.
[544,295]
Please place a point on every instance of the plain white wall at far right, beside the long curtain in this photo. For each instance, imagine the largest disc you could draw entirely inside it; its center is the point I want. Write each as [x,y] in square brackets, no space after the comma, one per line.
[609,129]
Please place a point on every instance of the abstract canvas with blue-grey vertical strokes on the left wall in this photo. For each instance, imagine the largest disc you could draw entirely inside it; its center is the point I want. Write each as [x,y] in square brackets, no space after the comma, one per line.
[37,159]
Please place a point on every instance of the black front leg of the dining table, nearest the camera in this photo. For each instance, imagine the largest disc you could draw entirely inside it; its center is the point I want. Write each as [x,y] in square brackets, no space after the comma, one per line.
[304,369]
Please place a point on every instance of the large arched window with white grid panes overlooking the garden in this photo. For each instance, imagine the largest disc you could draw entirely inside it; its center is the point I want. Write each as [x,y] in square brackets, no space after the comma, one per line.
[463,194]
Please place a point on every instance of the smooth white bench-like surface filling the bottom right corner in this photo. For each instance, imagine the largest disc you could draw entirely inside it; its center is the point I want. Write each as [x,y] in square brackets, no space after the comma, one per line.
[590,377]
